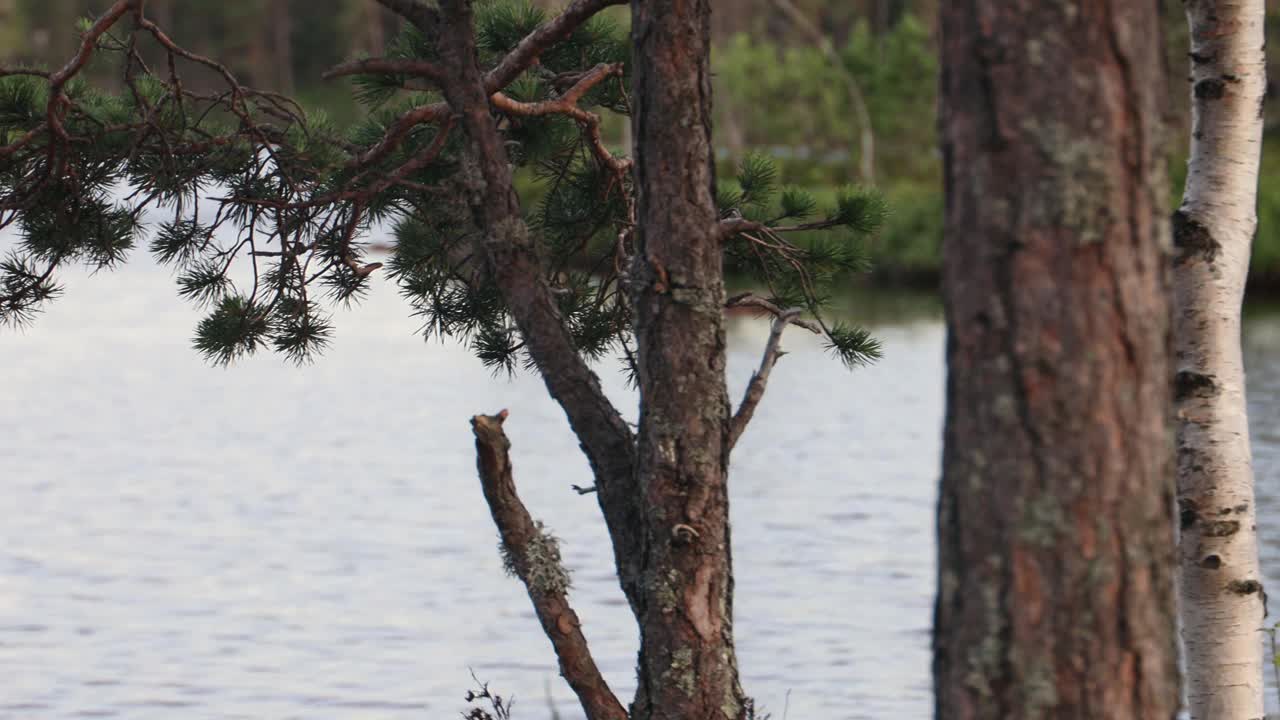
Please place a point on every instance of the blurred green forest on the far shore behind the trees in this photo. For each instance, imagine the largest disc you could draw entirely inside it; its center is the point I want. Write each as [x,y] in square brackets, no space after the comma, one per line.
[796,79]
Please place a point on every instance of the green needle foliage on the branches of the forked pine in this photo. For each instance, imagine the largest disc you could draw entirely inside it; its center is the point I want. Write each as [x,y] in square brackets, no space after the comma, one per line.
[252,180]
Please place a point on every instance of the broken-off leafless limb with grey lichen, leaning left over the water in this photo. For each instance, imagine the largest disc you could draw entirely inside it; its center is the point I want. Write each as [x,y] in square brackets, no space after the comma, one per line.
[533,557]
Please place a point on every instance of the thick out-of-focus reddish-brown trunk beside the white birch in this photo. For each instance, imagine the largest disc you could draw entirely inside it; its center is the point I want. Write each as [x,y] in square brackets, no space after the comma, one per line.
[1055,516]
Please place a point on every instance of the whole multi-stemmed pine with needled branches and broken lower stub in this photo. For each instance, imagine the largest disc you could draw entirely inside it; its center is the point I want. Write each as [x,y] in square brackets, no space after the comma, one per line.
[601,256]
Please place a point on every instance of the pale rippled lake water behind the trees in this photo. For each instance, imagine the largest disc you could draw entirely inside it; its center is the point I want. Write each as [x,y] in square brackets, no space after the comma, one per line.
[269,543]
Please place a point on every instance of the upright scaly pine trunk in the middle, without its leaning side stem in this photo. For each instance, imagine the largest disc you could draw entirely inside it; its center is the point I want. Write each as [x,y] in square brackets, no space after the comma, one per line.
[688,667]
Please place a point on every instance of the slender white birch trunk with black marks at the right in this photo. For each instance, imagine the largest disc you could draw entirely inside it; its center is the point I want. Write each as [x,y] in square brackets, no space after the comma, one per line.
[1222,591]
